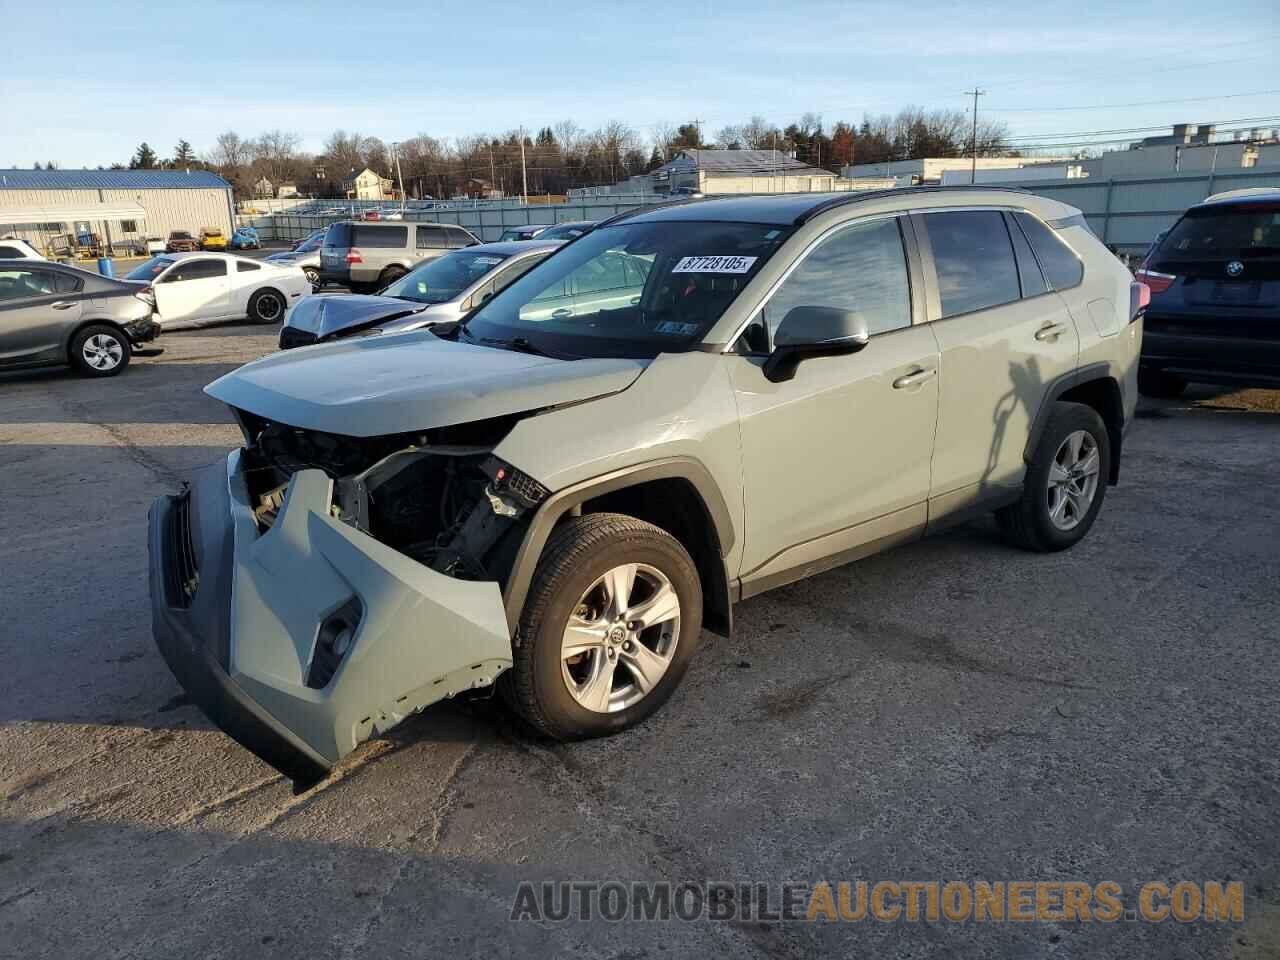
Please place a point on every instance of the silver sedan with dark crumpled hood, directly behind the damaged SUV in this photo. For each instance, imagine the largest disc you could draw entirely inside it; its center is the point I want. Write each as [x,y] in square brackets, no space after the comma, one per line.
[435,292]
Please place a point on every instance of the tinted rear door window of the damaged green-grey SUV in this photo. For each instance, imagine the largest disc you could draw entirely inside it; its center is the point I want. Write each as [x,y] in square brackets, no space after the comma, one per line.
[975,260]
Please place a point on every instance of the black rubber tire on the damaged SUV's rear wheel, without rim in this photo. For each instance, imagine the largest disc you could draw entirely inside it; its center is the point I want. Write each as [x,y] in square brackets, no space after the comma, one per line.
[1027,523]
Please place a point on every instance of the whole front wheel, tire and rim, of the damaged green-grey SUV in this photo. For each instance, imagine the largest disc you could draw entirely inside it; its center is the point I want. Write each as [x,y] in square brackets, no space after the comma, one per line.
[610,627]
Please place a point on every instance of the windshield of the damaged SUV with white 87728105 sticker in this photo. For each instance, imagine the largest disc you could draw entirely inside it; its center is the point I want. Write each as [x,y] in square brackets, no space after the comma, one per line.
[634,290]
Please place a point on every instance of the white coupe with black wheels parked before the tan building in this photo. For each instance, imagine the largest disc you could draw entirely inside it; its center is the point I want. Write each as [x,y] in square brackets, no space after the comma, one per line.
[211,287]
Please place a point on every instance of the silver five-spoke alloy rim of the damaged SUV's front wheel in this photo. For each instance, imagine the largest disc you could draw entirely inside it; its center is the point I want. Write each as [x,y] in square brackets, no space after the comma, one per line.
[629,619]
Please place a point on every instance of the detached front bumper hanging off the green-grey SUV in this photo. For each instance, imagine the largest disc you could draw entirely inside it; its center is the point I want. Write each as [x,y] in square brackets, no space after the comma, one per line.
[245,623]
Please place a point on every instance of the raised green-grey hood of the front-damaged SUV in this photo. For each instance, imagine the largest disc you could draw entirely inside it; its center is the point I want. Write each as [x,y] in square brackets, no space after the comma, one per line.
[400,383]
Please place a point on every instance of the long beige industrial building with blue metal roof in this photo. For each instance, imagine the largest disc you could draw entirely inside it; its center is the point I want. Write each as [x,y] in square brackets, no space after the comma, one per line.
[118,208]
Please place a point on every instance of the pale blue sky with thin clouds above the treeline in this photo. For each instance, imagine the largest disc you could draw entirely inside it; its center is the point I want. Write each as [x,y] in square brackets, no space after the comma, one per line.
[84,84]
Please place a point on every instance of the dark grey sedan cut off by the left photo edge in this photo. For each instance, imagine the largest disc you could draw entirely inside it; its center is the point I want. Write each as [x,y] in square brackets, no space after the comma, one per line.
[52,314]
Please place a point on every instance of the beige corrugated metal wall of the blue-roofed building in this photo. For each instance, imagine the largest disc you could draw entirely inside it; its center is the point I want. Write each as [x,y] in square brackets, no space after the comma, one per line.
[166,209]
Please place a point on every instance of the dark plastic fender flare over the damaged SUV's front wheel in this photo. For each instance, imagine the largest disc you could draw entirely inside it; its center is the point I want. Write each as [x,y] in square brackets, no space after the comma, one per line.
[561,502]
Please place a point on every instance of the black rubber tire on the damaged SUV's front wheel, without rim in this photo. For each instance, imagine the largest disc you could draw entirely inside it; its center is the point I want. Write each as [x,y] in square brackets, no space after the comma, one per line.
[579,554]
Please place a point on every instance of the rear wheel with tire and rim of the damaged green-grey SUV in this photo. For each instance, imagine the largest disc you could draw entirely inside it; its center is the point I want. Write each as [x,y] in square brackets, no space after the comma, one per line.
[1066,482]
